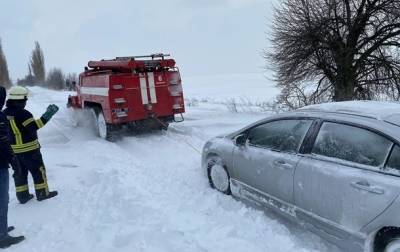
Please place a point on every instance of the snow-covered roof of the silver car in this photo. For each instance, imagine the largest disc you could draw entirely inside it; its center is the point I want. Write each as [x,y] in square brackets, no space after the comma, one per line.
[384,111]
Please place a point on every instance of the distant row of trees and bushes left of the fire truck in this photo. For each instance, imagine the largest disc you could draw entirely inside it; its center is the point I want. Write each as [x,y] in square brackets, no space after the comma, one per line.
[36,76]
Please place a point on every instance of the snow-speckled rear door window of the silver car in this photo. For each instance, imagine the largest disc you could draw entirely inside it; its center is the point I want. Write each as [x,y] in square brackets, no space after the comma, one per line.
[351,144]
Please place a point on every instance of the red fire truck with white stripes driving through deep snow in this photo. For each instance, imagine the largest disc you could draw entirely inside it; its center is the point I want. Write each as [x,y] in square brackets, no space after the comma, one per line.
[139,92]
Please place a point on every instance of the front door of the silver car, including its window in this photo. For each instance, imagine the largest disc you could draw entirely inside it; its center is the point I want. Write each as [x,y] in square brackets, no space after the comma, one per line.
[268,161]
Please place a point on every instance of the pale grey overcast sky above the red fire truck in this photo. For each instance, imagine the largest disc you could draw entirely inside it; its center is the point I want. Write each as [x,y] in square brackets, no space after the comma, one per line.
[204,36]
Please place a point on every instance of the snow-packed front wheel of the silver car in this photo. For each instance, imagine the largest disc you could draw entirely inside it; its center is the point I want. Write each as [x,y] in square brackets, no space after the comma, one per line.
[218,175]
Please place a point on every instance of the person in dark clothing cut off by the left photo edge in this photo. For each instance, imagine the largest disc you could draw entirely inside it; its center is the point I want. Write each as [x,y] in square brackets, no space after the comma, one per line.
[6,157]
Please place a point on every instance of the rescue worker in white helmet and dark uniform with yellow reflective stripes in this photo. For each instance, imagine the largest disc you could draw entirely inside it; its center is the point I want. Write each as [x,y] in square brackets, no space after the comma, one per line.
[25,144]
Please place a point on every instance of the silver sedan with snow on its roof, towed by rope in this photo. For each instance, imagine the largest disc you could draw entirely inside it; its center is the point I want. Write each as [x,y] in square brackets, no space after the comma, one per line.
[334,168]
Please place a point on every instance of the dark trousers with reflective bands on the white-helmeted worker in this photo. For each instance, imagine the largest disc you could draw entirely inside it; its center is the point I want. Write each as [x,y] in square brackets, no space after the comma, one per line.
[31,162]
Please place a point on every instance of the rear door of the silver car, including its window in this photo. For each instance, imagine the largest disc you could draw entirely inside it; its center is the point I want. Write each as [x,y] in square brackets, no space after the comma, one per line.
[341,180]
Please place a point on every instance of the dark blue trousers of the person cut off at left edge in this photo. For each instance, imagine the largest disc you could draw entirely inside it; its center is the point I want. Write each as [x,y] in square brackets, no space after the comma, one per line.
[4,181]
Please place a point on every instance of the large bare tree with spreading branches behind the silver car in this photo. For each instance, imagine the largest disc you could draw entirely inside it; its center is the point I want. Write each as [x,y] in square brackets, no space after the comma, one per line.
[336,50]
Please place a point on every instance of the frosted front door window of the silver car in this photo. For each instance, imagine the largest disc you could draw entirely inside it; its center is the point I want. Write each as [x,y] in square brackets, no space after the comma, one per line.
[283,135]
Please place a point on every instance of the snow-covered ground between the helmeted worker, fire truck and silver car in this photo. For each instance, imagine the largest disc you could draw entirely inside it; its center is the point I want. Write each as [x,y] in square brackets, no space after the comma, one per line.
[148,192]
